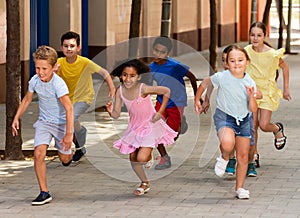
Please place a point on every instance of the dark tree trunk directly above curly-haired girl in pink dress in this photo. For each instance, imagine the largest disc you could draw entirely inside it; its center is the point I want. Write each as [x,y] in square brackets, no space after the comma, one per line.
[134,31]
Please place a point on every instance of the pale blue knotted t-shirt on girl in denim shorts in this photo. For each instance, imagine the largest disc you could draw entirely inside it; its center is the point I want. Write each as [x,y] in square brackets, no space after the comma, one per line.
[232,96]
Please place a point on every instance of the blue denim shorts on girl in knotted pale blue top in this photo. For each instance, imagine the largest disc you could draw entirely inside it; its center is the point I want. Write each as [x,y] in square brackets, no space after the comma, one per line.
[222,119]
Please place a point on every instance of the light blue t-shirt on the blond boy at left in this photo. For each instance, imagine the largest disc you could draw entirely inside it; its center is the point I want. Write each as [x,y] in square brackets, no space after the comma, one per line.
[51,109]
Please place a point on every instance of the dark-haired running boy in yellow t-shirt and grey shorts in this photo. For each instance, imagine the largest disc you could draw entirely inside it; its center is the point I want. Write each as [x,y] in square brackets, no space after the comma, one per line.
[77,73]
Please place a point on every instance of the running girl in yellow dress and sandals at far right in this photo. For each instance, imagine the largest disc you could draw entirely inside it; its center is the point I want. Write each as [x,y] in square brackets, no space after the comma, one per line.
[265,61]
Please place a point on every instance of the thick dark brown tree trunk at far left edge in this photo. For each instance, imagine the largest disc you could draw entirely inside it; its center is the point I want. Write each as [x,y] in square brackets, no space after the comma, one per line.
[13,145]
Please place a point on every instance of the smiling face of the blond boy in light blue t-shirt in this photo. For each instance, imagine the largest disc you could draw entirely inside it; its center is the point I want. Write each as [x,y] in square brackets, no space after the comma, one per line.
[44,70]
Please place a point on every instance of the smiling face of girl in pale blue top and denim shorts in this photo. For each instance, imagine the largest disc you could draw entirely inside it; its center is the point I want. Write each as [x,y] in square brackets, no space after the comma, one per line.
[237,62]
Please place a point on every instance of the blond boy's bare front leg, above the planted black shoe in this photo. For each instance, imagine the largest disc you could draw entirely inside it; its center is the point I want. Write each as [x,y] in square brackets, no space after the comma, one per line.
[40,166]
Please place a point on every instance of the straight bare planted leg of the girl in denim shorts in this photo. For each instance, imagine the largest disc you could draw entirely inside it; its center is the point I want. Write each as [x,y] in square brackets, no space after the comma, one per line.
[242,152]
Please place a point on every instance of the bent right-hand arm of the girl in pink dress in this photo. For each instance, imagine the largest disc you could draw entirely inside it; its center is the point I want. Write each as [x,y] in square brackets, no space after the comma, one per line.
[158,90]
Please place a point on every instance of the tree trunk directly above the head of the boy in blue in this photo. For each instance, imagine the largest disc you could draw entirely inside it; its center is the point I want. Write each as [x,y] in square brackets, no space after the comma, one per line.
[166,18]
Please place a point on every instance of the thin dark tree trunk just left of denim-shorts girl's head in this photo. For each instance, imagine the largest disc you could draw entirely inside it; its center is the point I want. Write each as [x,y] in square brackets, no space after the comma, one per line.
[213,37]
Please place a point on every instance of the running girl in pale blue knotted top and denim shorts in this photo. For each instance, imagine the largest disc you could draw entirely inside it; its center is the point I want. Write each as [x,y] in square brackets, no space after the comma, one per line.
[235,100]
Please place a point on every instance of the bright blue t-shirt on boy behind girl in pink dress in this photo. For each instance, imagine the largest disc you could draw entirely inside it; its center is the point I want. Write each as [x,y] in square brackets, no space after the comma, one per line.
[171,75]
